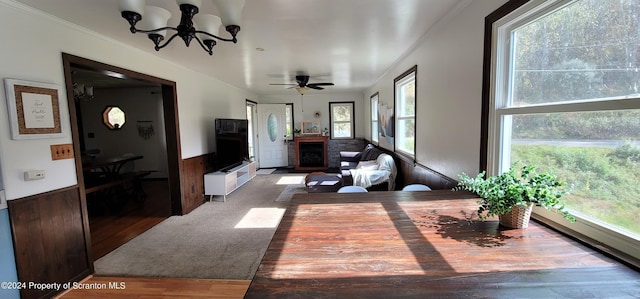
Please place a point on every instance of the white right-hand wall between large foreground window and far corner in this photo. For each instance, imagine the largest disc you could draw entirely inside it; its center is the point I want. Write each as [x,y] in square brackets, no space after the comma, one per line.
[449,89]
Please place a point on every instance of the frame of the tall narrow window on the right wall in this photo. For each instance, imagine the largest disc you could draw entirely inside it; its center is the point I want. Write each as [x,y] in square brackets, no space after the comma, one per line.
[398,81]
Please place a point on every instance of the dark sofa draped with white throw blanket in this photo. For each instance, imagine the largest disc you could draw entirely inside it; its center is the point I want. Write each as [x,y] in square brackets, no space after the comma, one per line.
[371,168]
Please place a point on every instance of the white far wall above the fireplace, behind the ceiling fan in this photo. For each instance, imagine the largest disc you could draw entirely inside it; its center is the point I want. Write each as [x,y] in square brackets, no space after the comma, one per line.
[307,106]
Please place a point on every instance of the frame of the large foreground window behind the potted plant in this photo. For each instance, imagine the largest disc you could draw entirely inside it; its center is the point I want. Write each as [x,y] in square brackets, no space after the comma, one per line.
[495,126]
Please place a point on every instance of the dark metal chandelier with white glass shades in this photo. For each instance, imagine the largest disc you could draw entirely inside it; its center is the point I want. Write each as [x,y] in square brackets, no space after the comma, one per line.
[203,28]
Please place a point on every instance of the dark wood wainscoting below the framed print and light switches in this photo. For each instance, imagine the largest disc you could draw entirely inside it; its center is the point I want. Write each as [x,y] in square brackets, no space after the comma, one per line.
[49,239]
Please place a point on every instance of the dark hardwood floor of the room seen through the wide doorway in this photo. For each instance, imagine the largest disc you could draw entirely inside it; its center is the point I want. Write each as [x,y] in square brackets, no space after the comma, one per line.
[111,228]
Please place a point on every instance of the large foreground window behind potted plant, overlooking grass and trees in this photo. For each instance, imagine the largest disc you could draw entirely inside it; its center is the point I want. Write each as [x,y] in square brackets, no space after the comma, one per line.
[565,96]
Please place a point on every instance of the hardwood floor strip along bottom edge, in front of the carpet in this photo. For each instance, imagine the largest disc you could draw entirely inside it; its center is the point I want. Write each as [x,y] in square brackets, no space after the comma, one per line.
[159,288]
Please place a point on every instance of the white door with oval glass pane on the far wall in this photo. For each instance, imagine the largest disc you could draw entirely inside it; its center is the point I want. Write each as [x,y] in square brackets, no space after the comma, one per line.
[271,135]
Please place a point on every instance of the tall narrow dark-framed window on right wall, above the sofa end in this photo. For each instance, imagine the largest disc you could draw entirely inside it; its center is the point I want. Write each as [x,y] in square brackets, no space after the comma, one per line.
[405,104]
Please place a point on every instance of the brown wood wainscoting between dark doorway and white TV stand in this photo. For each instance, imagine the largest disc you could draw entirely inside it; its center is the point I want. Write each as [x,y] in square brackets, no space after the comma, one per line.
[192,181]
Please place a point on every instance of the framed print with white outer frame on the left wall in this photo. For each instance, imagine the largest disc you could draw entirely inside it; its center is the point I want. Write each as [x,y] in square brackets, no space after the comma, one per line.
[34,109]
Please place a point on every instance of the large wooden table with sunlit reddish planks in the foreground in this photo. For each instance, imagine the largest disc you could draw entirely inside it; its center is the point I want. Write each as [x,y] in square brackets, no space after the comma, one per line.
[426,244]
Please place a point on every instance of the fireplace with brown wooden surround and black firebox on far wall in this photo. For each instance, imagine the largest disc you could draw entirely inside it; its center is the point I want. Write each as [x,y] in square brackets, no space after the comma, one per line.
[311,153]
